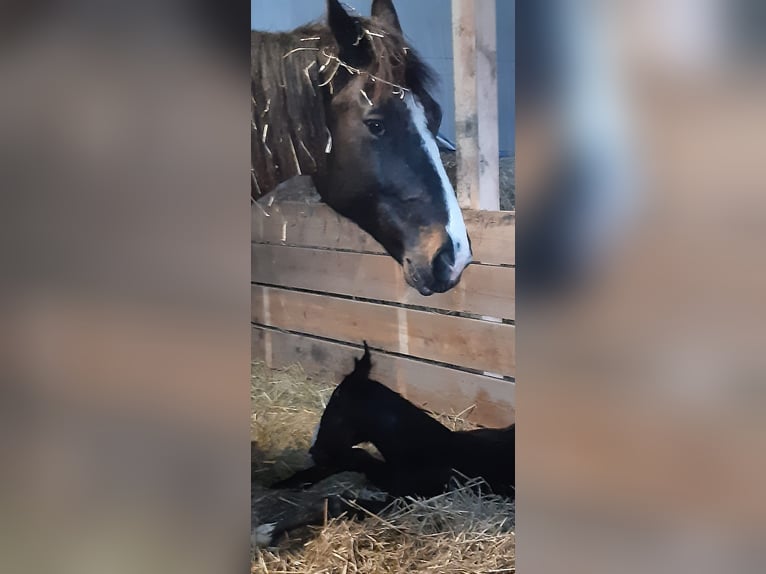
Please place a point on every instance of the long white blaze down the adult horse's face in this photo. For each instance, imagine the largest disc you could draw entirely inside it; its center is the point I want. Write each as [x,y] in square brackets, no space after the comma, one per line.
[455,224]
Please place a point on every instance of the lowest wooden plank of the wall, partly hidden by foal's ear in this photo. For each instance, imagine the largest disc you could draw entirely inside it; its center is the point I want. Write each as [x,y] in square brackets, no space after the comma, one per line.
[487,401]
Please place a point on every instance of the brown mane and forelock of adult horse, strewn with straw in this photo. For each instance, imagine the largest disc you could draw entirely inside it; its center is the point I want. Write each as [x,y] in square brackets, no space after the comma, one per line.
[291,75]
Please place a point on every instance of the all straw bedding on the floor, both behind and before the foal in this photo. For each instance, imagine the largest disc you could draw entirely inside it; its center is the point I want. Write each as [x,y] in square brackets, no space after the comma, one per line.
[459,532]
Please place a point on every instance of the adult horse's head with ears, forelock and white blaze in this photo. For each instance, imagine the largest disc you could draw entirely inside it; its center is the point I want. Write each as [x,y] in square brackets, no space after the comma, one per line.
[384,170]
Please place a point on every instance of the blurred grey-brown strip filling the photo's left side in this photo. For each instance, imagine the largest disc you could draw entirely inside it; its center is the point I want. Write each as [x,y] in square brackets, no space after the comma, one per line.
[124,158]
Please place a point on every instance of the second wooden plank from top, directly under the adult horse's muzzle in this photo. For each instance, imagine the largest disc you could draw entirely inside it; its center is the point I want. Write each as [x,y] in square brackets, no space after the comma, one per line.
[483,290]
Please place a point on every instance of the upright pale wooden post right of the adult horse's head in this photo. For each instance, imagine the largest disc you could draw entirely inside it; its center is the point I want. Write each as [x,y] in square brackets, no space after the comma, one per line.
[474,47]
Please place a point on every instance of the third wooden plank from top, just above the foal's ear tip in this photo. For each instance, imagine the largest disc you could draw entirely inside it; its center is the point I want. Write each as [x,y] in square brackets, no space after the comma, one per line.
[469,343]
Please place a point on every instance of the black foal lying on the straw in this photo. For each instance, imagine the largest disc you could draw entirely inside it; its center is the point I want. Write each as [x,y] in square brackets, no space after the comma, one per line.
[421,454]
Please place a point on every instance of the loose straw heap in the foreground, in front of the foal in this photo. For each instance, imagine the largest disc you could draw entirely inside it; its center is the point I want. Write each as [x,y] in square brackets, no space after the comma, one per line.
[458,532]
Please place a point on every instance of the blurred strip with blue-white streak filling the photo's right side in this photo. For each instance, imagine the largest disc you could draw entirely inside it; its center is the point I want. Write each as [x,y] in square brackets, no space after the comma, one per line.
[641,222]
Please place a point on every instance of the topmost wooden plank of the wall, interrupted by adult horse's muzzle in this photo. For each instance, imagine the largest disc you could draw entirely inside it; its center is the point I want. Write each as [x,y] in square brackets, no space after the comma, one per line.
[492,233]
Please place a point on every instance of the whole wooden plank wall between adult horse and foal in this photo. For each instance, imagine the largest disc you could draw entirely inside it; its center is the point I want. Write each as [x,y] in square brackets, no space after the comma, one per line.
[320,286]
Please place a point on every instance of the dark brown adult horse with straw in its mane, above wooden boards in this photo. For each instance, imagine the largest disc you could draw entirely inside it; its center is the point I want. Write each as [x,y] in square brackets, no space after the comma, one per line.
[347,102]
